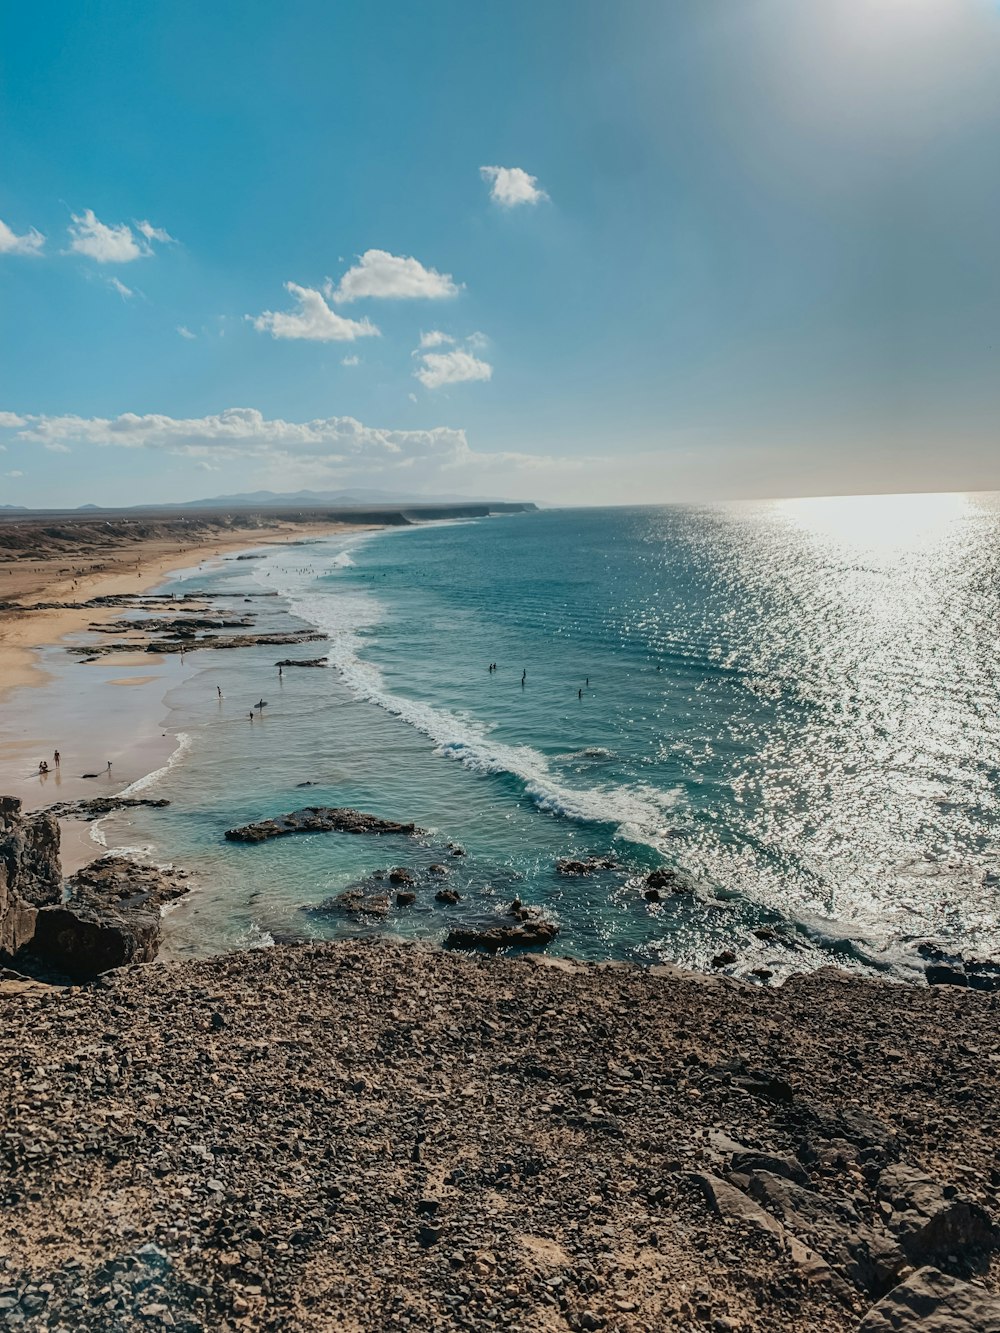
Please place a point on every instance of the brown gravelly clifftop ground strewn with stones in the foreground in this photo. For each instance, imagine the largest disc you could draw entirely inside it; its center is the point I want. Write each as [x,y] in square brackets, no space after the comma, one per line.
[378,1136]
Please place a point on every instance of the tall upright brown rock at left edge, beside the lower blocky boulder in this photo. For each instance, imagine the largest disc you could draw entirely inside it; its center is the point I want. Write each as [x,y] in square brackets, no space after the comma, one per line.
[31,876]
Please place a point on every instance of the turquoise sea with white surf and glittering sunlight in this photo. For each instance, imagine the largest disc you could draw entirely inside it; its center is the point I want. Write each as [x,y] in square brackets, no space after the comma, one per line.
[795,704]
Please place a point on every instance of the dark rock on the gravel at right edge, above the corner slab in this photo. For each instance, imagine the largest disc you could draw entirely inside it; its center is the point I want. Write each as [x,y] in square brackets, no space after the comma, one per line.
[933,1222]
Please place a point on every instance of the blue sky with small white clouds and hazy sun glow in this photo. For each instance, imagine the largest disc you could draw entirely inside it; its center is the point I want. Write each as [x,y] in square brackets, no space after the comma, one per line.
[563,251]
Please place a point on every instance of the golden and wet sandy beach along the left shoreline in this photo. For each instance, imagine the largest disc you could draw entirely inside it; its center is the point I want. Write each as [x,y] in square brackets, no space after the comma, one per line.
[93,724]
